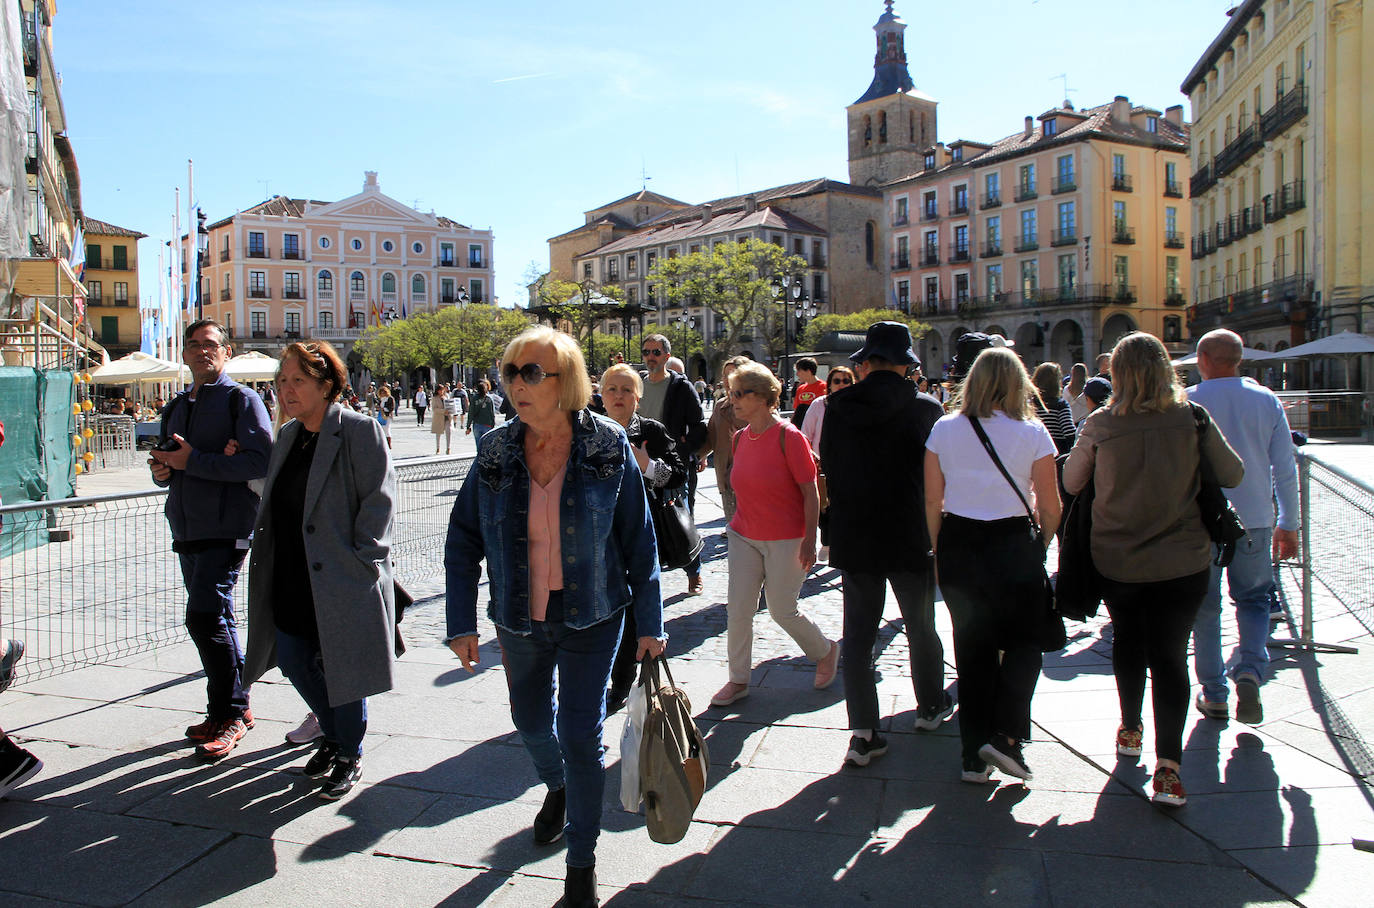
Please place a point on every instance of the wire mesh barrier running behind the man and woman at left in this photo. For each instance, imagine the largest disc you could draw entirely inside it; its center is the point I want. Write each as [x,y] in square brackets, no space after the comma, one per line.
[91,580]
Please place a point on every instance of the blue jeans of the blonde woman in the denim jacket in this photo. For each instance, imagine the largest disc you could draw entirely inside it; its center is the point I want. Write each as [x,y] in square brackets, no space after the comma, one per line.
[565,738]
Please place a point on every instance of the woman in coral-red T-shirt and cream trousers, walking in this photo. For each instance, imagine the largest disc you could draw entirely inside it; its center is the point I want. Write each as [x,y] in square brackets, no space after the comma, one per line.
[773,536]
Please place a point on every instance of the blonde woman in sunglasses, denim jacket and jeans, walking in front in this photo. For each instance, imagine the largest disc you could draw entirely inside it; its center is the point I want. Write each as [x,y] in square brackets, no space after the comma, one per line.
[556,506]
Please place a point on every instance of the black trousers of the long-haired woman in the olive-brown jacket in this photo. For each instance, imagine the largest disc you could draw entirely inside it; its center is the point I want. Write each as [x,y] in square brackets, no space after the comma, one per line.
[1151,626]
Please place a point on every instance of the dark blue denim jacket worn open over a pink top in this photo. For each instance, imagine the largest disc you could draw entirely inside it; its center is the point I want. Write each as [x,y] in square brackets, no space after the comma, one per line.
[611,558]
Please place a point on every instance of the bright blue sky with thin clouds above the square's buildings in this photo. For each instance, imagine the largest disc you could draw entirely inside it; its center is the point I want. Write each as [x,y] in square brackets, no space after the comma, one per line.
[521,116]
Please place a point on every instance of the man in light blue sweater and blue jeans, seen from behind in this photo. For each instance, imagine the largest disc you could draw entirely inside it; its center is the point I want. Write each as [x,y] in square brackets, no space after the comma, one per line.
[1252,420]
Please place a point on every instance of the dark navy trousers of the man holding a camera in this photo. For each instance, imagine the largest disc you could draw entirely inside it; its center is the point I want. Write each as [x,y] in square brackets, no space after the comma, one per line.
[210,578]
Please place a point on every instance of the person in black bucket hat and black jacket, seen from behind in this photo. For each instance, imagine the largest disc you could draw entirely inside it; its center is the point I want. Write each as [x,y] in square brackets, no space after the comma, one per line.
[873,451]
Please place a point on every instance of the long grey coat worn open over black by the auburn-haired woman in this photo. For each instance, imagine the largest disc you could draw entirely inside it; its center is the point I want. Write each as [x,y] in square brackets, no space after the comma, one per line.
[350,508]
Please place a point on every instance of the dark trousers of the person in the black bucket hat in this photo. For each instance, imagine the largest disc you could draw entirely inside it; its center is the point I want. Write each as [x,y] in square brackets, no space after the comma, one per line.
[865,600]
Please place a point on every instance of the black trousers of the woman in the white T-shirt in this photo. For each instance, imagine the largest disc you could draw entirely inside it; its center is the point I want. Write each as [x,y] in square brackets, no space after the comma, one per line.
[993,579]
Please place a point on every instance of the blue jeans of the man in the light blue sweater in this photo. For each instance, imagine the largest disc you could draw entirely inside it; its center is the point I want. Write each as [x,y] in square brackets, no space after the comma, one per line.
[1251,584]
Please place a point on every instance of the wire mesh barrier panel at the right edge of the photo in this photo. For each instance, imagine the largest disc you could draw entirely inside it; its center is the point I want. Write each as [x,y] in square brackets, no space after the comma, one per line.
[1339,556]
